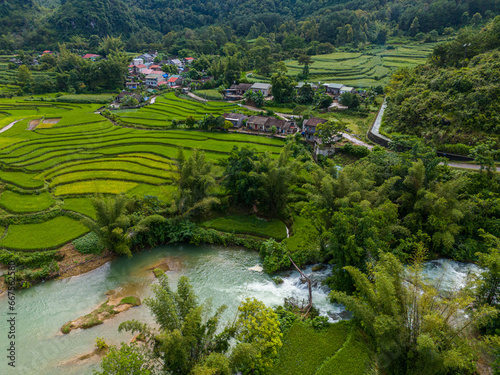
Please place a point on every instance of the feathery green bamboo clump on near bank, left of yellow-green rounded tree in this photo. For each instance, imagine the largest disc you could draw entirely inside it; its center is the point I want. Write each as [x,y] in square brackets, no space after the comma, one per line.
[187,336]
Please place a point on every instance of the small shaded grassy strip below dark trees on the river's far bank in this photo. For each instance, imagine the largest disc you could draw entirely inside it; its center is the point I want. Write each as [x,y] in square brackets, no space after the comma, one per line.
[248,225]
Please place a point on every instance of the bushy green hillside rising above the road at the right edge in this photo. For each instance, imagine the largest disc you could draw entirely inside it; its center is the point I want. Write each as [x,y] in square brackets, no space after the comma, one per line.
[454,98]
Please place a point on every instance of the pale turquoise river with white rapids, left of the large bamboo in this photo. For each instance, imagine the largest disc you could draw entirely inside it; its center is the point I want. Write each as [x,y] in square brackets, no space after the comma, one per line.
[221,274]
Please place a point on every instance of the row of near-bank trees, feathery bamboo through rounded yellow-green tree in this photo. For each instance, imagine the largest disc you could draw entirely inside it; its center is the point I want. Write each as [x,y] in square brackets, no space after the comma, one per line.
[190,339]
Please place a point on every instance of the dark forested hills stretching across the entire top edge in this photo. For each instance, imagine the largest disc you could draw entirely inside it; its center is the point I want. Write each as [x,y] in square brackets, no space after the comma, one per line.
[334,21]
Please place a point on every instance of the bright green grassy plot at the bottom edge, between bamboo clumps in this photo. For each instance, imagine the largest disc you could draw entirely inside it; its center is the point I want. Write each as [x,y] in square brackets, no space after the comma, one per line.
[309,351]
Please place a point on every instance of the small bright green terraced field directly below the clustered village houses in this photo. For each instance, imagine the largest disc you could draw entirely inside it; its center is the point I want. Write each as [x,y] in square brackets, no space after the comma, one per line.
[168,107]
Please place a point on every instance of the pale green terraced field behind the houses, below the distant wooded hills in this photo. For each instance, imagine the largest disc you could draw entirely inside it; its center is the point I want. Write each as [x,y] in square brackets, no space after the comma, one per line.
[370,67]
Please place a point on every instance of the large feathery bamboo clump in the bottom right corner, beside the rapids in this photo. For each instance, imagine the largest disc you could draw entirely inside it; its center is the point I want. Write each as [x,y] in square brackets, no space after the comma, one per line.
[414,330]
